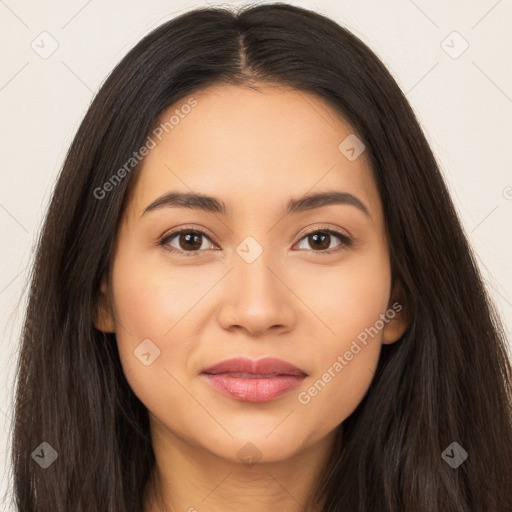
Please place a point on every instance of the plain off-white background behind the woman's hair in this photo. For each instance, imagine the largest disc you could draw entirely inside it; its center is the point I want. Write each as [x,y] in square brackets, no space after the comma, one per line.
[463,101]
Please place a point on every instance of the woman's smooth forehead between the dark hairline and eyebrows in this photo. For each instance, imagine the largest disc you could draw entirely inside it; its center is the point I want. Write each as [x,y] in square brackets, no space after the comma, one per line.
[251,147]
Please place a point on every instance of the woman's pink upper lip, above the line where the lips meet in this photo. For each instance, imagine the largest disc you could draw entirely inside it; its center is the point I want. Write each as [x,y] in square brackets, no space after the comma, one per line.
[264,366]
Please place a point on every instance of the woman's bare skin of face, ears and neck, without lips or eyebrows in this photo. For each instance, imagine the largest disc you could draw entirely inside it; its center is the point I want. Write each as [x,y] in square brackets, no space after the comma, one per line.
[255,150]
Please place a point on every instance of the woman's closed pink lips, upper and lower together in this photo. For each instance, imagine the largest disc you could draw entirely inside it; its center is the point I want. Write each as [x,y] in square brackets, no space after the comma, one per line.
[254,381]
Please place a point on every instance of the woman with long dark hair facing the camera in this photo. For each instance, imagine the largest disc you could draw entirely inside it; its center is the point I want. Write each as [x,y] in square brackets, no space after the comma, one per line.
[252,292]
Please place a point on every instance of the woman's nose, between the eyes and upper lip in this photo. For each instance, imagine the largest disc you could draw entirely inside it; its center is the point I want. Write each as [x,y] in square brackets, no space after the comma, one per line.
[256,298]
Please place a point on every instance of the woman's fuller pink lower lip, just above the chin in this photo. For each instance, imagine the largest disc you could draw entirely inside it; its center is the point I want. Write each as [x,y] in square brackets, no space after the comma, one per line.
[257,389]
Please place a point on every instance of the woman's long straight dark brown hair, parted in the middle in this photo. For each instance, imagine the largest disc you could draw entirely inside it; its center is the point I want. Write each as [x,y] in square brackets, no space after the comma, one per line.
[447,380]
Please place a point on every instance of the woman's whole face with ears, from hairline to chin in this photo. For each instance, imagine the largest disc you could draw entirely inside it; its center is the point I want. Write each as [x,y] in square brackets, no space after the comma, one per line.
[256,284]
